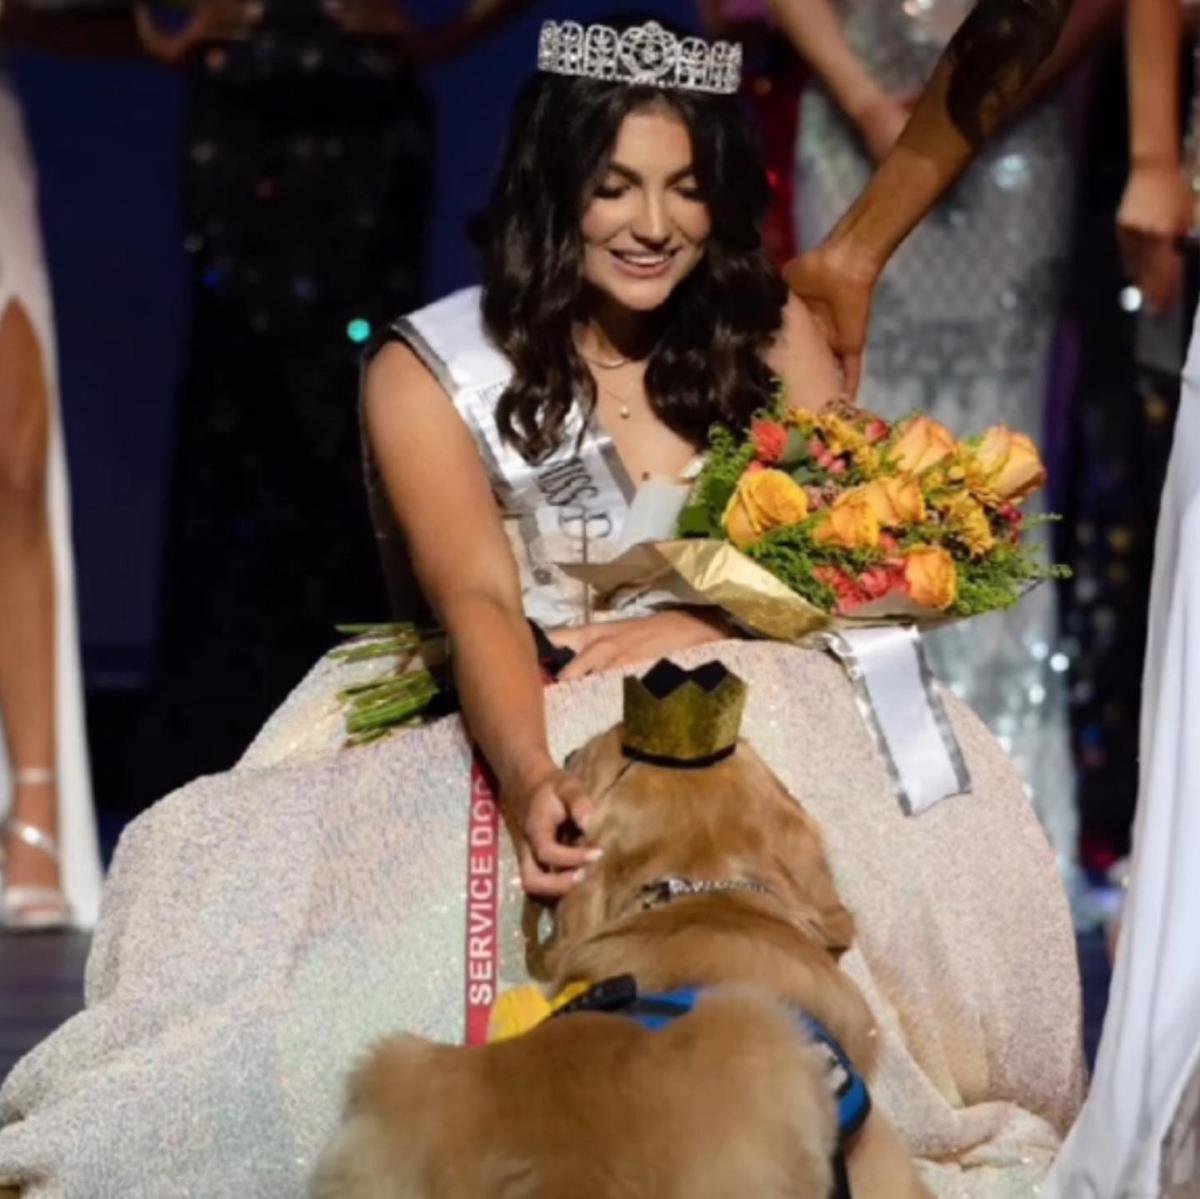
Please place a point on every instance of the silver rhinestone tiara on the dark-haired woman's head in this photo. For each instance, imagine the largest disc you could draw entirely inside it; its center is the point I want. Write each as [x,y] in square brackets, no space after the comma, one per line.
[643,55]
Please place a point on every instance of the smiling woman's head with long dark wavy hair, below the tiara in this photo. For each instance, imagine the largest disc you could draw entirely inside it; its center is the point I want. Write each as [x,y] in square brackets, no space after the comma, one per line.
[622,245]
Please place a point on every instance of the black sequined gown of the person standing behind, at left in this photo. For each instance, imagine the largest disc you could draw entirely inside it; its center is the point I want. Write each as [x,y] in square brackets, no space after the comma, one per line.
[307,193]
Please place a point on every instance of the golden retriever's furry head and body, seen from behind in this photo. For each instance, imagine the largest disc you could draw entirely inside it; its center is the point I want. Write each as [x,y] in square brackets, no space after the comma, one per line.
[728,1101]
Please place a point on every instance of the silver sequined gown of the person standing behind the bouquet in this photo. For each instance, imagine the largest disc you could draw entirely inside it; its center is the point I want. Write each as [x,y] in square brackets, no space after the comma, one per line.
[962,328]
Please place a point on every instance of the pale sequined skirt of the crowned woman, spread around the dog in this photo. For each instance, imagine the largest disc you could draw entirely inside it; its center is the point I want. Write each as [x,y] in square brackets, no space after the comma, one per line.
[263,927]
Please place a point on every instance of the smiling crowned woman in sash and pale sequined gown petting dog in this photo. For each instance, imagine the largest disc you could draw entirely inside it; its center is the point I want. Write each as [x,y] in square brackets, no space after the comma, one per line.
[263,927]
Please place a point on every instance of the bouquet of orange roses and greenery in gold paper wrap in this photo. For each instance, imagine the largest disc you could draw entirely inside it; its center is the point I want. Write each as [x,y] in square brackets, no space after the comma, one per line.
[860,520]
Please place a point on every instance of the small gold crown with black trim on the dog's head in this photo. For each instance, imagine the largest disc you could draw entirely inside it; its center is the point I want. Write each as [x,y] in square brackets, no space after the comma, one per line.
[686,718]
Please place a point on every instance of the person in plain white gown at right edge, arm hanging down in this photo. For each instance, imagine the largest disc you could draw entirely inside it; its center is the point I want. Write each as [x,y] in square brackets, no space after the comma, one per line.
[1139,1132]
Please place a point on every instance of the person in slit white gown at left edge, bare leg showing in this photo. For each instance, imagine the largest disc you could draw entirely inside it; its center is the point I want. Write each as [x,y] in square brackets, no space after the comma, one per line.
[50,858]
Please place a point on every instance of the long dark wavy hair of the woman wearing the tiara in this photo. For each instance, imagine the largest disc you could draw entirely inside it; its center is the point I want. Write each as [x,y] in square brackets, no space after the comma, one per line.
[707,363]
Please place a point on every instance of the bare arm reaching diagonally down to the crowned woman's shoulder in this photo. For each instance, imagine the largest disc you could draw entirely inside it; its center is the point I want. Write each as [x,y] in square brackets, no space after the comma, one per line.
[981,80]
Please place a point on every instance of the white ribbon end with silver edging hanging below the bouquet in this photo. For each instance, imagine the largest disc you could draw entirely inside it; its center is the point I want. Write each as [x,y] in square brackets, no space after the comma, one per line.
[901,705]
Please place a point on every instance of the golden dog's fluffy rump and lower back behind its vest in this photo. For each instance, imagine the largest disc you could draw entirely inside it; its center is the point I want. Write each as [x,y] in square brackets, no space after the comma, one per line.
[728,1101]
